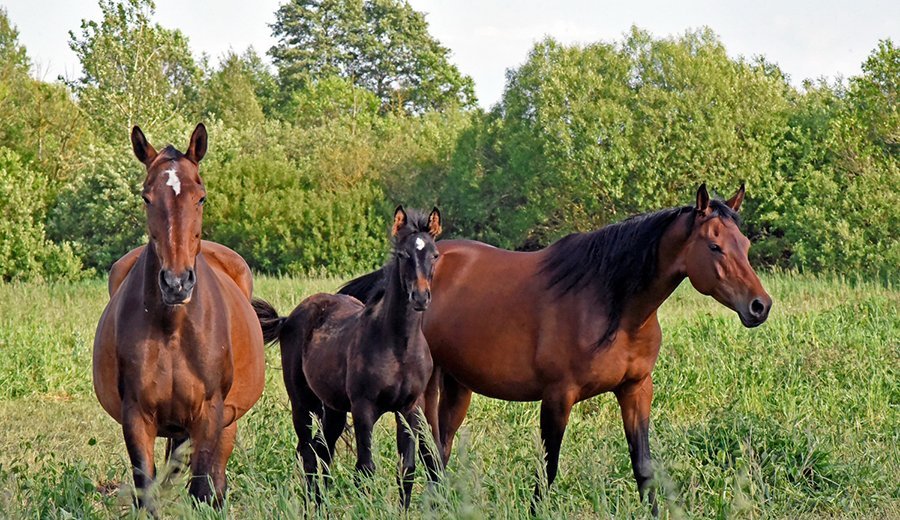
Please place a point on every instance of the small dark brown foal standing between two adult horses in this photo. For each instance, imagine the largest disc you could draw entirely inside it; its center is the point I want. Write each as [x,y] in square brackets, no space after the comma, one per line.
[341,356]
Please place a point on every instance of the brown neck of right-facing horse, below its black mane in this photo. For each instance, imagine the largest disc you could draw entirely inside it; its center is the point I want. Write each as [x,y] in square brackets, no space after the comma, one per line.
[669,275]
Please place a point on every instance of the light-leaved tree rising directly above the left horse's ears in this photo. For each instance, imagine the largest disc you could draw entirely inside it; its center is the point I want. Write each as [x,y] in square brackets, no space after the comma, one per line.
[132,71]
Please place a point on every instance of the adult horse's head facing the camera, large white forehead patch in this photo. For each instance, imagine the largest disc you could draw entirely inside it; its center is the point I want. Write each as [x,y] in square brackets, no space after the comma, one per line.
[173,197]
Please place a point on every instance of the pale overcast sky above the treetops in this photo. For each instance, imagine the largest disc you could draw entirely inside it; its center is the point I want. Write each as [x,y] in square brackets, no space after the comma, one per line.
[807,39]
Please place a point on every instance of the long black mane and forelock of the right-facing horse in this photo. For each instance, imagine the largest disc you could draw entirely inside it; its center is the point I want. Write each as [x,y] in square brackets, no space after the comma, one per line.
[616,261]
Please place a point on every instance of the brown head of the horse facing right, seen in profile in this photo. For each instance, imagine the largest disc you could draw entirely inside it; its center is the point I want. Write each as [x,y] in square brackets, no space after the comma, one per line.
[715,259]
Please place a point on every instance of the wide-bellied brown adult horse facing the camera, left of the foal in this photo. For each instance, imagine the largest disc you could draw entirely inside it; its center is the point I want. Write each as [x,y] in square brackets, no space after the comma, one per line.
[178,351]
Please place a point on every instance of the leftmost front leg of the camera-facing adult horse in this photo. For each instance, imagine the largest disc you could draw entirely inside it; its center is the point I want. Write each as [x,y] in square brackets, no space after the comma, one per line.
[140,434]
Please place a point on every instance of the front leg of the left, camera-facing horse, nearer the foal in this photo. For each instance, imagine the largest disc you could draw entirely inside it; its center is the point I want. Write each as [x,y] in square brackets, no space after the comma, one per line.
[206,434]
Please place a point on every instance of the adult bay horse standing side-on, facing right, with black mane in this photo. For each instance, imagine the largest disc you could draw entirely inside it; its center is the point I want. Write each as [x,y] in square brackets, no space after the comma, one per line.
[576,319]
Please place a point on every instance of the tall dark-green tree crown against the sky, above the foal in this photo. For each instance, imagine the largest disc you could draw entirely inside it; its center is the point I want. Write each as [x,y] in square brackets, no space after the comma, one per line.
[380,45]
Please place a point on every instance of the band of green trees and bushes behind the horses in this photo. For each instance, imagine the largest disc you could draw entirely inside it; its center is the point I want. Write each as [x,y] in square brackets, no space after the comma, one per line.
[365,110]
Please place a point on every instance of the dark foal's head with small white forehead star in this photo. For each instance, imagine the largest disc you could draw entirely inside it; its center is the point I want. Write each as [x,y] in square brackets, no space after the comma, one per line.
[416,253]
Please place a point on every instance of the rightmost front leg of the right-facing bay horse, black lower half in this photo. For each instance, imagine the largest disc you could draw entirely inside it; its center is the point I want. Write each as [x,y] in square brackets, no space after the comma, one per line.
[634,400]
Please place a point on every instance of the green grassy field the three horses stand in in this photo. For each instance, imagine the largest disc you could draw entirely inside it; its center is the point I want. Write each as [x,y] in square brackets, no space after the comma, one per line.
[798,418]
